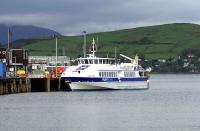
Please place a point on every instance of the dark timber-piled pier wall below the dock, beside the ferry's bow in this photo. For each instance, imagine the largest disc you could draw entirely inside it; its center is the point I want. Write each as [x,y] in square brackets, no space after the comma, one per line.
[23,85]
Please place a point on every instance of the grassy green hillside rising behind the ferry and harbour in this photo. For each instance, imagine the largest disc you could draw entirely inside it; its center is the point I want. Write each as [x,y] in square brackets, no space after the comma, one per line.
[162,41]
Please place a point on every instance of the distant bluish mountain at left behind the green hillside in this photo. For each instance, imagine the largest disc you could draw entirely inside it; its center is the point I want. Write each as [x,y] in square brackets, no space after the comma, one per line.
[24,32]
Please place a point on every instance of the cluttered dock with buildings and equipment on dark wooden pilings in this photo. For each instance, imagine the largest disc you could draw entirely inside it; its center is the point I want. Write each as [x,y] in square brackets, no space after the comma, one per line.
[19,75]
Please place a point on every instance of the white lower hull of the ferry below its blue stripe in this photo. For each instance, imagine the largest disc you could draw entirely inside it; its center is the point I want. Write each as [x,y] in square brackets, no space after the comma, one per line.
[136,85]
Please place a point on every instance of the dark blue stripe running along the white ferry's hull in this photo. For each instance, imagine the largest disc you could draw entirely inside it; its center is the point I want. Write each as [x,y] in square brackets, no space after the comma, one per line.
[97,79]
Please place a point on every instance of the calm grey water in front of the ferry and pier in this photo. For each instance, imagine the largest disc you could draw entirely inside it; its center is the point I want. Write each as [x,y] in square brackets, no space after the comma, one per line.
[171,104]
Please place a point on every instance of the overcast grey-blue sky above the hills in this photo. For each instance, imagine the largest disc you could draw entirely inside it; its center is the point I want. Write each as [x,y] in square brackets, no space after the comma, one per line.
[71,17]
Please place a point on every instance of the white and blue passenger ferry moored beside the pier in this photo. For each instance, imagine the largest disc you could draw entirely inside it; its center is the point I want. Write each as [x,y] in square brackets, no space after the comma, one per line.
[94,73]
